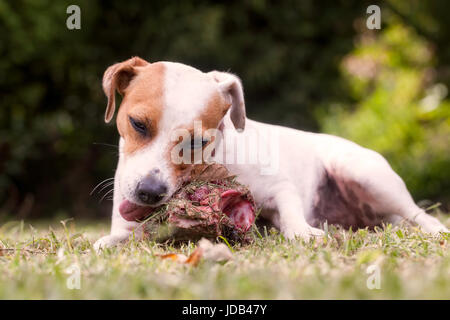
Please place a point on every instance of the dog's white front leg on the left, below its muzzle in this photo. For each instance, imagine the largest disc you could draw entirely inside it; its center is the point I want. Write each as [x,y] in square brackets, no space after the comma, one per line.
[121,230]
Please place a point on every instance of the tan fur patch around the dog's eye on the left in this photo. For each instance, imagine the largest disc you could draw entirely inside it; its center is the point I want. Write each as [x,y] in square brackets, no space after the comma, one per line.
[143,101]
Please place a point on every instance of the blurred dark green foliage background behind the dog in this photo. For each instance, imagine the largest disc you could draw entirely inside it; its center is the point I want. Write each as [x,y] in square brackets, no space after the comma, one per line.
[291,56]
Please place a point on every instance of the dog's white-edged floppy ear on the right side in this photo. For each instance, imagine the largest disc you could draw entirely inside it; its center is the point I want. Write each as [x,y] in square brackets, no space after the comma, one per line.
[230,86]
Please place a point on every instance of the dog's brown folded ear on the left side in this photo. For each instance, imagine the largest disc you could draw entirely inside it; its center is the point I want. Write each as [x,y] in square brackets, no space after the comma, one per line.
[118,77]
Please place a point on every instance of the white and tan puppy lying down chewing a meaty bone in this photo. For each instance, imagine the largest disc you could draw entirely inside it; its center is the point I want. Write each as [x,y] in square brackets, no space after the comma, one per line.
[320,178]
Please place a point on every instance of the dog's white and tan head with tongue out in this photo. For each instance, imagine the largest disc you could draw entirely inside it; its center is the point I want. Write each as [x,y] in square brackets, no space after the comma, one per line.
[159,99]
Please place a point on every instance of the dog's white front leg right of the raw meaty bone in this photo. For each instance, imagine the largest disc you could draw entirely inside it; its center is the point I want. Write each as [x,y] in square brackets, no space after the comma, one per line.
[292,220]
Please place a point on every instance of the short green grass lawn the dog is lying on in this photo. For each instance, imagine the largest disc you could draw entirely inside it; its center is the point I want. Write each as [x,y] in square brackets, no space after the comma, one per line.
[412,265]
